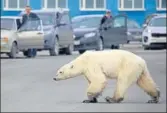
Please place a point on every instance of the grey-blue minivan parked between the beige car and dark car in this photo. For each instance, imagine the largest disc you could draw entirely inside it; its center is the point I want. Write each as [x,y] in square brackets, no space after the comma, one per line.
[57,31]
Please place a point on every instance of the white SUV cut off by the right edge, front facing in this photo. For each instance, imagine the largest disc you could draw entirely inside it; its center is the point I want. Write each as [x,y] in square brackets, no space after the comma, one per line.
[154,34]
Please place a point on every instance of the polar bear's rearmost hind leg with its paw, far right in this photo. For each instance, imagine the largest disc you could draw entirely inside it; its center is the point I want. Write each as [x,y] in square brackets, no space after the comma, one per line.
[147,84]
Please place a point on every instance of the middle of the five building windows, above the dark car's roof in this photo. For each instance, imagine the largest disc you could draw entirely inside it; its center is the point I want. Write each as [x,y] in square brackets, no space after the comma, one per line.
[92,4]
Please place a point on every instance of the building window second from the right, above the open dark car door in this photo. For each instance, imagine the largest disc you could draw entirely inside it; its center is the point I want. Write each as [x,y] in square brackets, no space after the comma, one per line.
[131,5]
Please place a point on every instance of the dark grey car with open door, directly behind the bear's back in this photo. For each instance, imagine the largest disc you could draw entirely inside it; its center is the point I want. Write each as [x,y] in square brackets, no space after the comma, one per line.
[90,35]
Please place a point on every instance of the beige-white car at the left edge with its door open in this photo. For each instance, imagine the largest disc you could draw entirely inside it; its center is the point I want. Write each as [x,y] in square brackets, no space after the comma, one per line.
[17,38]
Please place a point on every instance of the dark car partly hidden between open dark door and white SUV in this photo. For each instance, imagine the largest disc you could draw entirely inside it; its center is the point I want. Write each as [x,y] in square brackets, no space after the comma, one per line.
[134,31]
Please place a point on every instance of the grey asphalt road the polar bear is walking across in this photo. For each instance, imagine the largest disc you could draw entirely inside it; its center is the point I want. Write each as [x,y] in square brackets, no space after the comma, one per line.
[27,86]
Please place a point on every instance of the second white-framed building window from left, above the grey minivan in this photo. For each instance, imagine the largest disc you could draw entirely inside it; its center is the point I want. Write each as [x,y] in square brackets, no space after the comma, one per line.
[52,4]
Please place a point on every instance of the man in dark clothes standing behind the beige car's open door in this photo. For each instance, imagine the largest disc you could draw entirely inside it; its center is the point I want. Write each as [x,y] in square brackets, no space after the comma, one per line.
[29,16]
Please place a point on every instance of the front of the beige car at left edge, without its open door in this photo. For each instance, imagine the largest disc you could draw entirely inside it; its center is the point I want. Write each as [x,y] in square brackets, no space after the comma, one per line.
[9,27]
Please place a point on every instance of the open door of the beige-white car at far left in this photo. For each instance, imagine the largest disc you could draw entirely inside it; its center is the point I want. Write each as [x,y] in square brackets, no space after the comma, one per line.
[31,35]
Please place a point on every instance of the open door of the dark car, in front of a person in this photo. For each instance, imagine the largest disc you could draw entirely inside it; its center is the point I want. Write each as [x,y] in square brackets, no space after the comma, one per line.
[115,31]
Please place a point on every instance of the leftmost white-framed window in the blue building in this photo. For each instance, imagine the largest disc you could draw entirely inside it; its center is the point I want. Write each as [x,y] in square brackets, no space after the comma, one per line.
[15,4]
